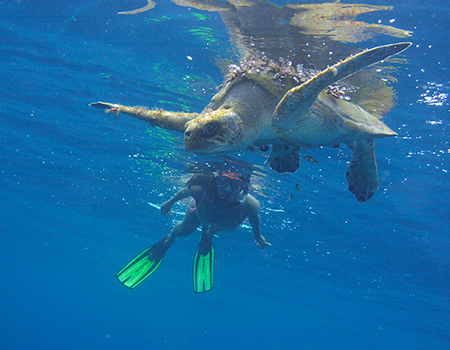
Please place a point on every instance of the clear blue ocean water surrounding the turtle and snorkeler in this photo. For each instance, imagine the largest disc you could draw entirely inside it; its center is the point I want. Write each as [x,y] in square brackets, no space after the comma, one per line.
[79,192]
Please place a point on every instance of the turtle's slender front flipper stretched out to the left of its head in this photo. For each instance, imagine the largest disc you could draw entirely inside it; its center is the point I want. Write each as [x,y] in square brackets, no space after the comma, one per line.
[156,117]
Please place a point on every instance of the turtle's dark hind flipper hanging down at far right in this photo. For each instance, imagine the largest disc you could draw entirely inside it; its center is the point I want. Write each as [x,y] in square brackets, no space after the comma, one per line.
[362,174]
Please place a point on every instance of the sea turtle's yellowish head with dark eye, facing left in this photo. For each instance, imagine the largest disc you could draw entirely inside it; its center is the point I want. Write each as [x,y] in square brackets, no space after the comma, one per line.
[215,132]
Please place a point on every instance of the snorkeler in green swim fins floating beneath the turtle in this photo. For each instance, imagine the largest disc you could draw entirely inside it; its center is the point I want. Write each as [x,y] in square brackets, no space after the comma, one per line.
[220,201]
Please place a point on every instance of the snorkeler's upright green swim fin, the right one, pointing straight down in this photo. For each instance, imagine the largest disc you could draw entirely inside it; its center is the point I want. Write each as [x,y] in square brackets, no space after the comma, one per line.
[204,266]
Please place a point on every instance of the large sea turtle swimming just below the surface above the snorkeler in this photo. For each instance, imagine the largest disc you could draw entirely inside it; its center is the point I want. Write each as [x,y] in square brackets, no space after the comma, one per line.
[272,102]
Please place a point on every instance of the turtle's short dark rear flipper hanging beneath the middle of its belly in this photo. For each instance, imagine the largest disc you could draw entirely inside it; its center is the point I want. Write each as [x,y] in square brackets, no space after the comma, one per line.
[284,158]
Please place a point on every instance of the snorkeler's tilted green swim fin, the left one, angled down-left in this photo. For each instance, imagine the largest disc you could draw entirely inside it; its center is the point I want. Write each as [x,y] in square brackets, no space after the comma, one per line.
[141,267]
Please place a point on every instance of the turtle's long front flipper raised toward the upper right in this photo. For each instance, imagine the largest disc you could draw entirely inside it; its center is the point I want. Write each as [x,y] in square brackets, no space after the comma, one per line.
[297,102]
